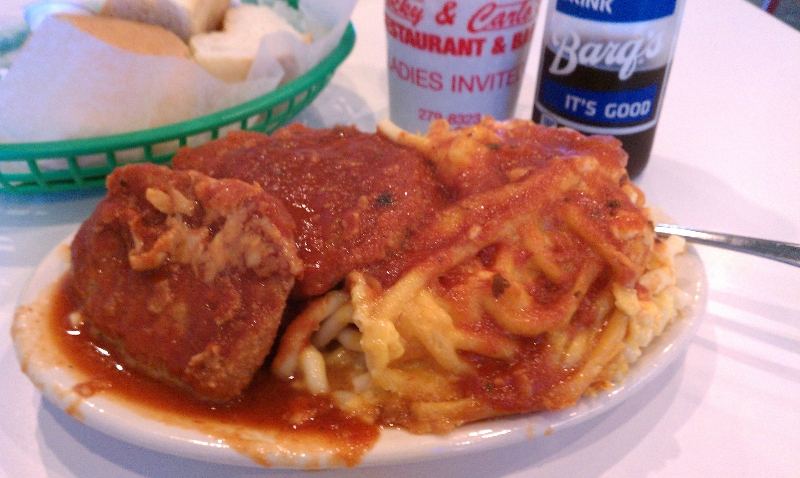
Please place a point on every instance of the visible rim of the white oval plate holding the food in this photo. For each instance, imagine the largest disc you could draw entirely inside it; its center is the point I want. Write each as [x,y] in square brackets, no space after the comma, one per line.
[393,446]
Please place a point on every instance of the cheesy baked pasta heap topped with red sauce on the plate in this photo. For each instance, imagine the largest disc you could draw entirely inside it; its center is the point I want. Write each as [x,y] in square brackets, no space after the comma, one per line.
[538,284]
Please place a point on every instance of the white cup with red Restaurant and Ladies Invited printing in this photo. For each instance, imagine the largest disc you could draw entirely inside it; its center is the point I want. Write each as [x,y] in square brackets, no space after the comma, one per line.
[456,59]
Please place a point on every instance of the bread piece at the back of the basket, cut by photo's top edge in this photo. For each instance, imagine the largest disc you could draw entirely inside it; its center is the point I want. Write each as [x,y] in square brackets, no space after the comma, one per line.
[183,17]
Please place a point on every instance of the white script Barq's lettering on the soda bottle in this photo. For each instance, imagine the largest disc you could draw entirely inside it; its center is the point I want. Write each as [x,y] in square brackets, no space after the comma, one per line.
[625,55]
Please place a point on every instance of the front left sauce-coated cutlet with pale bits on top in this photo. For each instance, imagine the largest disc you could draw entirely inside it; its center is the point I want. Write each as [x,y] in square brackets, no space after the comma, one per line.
[185,277]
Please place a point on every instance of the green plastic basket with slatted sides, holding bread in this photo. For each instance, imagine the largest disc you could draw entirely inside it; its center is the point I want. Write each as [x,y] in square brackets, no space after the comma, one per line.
[57,166]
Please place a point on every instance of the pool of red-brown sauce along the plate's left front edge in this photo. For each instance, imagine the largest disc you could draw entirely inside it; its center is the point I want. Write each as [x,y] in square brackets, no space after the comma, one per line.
[271,418]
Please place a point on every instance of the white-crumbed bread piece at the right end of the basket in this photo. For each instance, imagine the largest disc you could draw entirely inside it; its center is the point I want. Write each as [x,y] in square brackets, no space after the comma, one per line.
[229,54]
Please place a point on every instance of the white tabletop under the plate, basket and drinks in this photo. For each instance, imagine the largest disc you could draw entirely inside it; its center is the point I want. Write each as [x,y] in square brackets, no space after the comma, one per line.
[726,158]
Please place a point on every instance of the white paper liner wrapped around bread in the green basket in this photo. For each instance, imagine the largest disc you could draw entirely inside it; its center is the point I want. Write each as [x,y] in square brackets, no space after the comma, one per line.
[66,84]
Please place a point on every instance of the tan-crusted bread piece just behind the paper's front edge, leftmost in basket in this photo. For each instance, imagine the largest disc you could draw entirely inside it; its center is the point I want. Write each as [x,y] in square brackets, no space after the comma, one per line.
[132,36]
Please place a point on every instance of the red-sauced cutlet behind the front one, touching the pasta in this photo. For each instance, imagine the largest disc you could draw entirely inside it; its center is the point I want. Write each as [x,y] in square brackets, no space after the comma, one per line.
[354,196]
